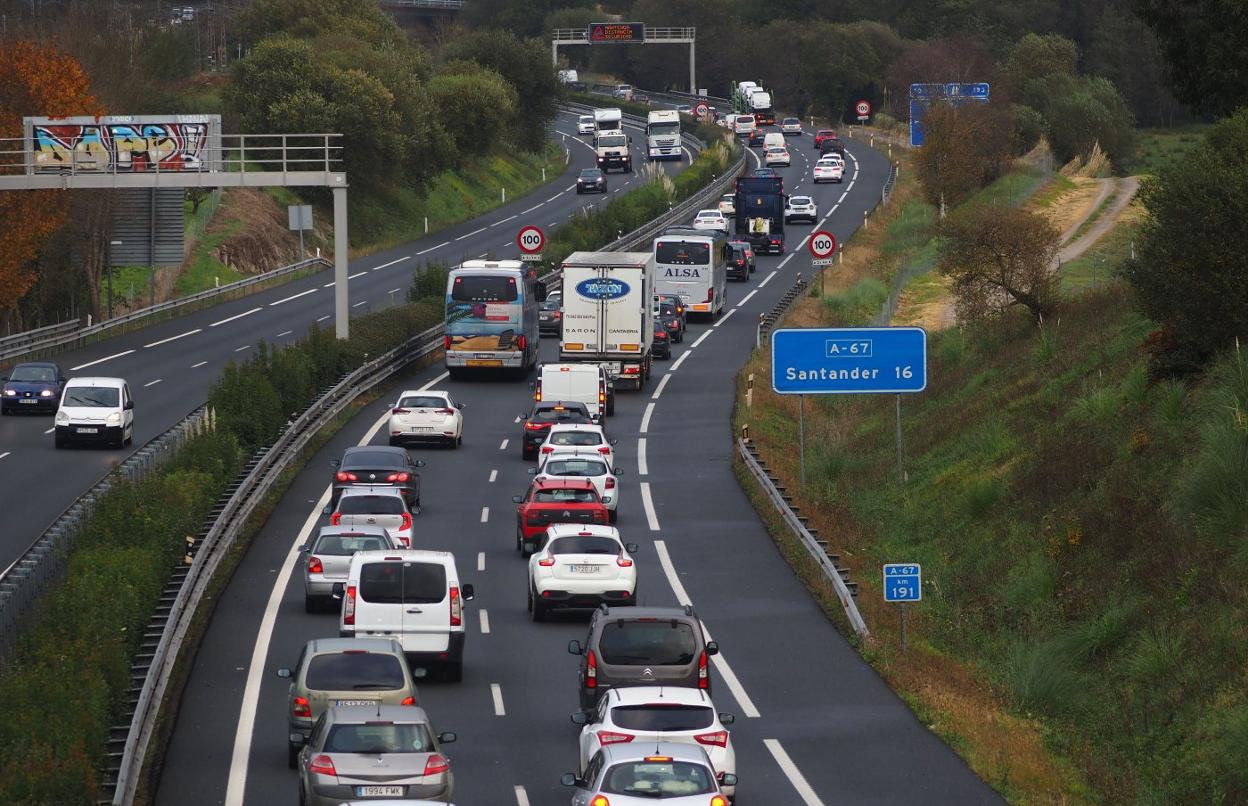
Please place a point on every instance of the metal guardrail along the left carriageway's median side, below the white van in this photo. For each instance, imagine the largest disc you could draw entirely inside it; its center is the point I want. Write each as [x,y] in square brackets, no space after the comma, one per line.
[44,561]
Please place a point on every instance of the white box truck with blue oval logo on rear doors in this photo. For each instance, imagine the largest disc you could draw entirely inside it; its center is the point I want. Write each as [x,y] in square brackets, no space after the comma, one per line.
[608,318]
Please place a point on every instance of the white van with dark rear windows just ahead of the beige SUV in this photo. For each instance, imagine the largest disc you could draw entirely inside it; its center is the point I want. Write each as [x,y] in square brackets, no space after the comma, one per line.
[412,597]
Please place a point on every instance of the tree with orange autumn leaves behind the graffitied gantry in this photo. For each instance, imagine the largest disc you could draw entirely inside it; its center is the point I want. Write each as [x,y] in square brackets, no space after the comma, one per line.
[34,80]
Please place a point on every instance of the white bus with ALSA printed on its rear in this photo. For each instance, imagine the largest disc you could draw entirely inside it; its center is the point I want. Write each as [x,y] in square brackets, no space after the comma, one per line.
[693,265]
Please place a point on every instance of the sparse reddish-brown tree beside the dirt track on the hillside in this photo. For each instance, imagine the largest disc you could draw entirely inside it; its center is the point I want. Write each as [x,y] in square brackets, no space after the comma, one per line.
[1000,258]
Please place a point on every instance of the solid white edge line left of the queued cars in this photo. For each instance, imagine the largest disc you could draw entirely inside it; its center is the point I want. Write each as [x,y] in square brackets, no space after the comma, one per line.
[241,755]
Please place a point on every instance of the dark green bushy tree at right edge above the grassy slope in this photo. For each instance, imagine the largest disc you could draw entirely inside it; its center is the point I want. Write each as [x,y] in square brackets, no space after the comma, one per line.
[1191,273]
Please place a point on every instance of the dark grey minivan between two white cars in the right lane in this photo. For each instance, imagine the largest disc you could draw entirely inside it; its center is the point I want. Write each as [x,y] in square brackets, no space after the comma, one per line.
[642,647]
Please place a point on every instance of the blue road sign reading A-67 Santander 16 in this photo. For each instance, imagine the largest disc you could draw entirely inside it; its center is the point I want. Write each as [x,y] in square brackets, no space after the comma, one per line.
[849,361]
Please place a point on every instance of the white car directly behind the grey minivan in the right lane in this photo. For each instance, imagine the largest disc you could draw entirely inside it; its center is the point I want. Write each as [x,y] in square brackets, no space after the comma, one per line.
[653,714]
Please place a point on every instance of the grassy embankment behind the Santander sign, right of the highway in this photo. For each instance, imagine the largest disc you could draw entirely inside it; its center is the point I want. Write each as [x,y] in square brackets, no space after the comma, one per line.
[1083,633]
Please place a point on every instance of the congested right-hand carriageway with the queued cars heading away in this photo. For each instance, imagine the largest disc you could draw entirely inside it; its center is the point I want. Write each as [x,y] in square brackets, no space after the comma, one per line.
[816,724]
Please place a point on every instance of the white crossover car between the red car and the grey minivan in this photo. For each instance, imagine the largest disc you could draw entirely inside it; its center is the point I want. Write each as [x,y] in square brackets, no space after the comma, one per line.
[581,566]
